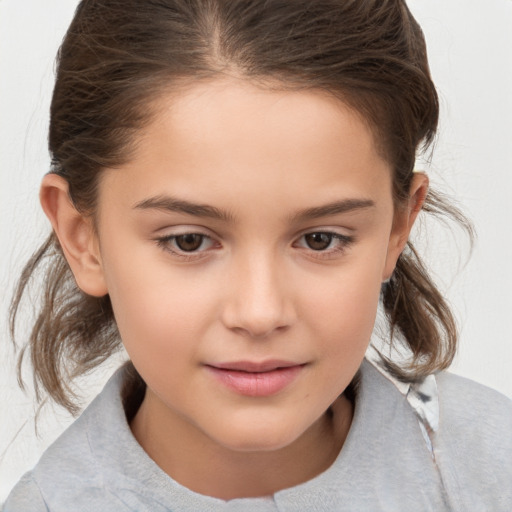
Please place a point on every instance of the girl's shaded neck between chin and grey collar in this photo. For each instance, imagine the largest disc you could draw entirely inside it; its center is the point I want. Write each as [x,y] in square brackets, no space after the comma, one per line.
[198,463]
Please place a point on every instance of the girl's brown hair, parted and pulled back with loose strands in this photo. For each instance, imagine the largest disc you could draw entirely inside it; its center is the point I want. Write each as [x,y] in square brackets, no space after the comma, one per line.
[119,56]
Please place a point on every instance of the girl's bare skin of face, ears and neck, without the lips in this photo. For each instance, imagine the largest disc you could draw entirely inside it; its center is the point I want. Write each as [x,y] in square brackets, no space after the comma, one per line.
[267,162]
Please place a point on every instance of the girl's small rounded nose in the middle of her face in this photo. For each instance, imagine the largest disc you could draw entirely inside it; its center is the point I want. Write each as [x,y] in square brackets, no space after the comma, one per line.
[259,302]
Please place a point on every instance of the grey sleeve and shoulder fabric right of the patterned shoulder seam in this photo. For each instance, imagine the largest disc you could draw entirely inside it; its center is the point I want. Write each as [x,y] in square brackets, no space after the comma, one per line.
[473,445]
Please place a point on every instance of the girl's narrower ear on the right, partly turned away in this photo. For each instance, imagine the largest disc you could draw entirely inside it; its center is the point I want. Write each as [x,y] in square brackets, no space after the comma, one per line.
[403,221]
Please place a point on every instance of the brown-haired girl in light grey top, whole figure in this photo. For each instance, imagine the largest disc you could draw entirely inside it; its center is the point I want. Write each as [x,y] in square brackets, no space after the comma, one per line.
[231,195]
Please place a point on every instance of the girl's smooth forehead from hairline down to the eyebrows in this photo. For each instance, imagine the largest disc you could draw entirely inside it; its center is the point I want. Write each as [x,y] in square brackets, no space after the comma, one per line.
[229,137]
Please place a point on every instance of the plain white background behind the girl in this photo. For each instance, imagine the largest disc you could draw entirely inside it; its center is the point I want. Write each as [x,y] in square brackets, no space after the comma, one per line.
[470,49]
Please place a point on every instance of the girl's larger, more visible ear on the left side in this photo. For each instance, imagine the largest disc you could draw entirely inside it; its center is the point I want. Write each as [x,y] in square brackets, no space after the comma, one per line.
[76,235]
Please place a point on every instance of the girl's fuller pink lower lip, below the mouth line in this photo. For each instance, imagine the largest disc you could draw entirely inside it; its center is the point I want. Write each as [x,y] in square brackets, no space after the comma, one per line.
[257,383]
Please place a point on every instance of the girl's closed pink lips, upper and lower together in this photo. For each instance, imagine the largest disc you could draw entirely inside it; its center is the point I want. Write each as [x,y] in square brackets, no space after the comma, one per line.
[256,379]
